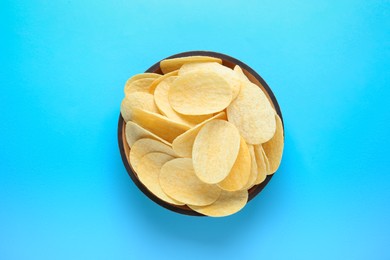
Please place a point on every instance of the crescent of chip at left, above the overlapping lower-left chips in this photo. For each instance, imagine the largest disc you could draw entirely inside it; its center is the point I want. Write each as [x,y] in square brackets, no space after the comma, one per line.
[144,146]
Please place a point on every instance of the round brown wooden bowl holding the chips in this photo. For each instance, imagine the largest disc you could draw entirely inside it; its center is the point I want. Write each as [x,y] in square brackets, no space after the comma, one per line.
[125,150]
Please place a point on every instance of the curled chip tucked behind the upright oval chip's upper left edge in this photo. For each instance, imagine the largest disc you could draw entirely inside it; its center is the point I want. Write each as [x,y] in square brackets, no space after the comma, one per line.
[182,145]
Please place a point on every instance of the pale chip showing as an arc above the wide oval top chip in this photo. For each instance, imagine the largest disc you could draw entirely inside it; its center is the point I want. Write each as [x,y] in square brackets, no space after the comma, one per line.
[227,73]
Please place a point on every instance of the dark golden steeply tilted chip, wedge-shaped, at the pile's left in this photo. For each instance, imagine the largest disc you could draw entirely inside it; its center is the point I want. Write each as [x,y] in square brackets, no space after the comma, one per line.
[158,124]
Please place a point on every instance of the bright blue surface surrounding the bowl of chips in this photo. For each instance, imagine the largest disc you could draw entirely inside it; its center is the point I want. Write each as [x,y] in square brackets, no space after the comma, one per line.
[64,193]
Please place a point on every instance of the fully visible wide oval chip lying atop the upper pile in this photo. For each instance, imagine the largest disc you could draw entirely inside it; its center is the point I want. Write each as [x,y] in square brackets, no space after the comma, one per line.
[200,93]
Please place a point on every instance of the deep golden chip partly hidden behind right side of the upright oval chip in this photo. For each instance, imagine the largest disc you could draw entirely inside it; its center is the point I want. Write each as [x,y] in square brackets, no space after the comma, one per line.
[240,172]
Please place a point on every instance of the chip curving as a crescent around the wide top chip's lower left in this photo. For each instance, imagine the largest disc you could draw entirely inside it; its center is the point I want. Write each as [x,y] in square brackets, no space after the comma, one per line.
[162,101]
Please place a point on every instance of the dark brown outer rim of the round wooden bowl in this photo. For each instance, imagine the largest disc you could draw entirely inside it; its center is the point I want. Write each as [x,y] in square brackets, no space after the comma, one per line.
[156,68]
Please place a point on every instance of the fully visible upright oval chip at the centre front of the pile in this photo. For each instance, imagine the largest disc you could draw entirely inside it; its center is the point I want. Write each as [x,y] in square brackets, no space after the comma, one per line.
[215,150]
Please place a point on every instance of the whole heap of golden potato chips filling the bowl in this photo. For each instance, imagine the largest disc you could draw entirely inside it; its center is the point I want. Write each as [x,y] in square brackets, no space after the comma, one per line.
[201,134]
